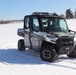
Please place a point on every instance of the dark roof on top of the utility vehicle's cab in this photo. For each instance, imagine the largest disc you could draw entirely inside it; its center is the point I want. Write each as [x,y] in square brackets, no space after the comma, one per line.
[45,14]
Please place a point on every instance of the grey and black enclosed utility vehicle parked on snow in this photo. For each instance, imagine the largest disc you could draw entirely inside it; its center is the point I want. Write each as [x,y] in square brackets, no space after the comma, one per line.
[48,34]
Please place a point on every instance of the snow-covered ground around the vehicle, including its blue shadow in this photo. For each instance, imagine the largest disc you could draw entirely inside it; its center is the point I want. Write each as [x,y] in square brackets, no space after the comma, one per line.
[14,62]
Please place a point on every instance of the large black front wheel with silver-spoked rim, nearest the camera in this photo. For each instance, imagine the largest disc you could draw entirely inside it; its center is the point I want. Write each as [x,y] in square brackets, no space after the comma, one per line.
[47,53]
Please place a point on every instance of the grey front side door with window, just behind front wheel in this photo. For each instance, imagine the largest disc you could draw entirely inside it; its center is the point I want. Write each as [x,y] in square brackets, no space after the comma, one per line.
[34,35]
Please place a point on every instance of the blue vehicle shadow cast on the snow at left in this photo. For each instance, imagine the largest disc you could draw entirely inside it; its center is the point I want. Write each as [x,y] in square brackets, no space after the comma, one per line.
[14,56]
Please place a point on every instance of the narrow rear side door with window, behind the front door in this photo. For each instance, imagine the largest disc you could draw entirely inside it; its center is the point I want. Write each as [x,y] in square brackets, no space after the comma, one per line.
[27,31]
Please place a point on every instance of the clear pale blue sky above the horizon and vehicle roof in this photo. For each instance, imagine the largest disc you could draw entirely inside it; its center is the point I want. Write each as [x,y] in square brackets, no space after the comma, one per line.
[17,9]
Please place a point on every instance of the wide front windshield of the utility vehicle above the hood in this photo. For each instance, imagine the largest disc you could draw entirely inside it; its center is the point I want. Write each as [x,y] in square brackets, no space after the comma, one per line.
[54,25]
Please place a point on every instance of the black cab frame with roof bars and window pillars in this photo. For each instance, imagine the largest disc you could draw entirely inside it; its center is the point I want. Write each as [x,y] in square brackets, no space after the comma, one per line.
[41,28]
